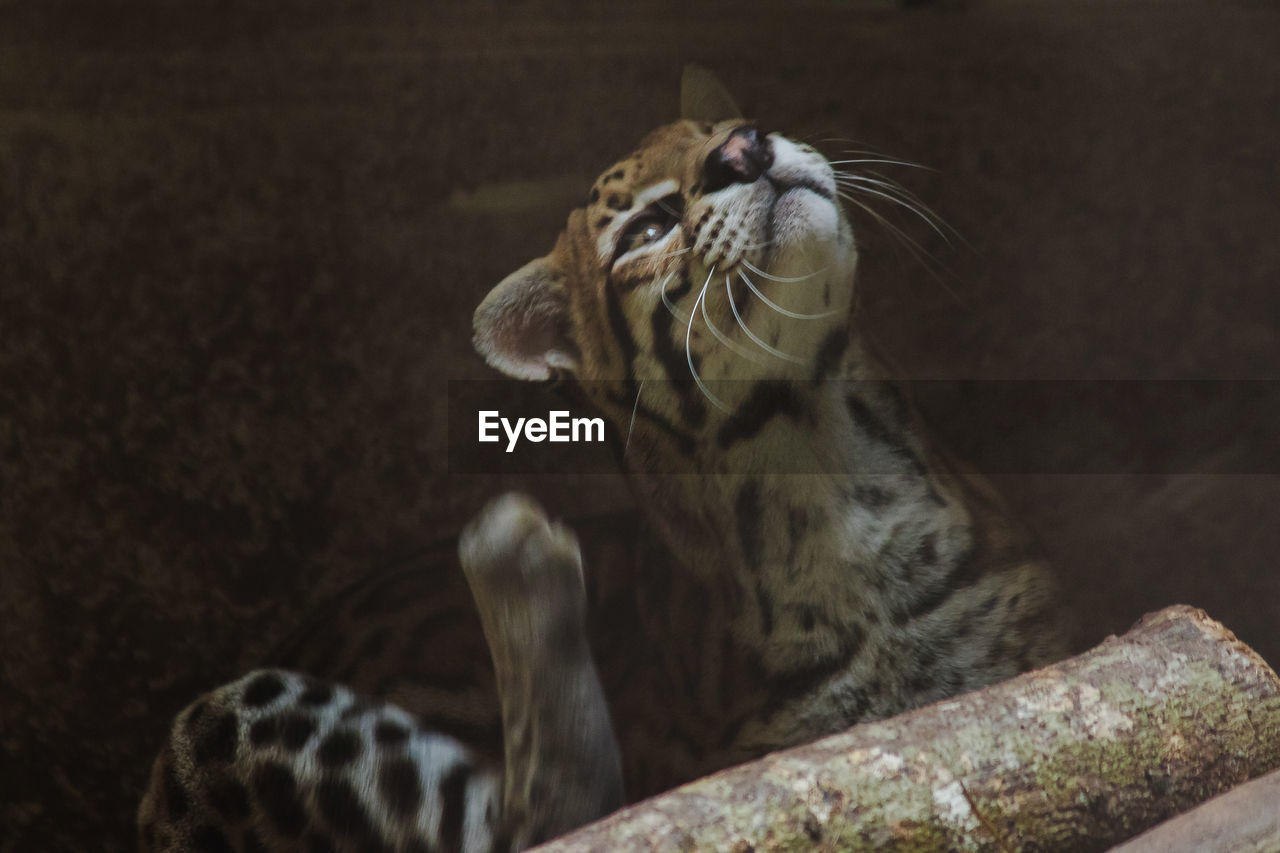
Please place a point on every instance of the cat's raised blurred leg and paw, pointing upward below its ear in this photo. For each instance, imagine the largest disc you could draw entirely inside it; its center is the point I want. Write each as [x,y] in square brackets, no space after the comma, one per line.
[563,763]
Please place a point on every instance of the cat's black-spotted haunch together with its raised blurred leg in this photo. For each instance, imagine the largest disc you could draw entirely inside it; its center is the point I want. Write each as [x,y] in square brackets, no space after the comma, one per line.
[278,761]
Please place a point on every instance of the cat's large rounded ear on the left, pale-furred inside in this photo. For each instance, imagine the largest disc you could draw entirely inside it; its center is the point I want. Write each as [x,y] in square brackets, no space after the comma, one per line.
[524,329]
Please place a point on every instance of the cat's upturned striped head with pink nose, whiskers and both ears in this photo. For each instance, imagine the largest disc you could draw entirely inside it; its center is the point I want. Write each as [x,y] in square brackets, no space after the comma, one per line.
[714,257]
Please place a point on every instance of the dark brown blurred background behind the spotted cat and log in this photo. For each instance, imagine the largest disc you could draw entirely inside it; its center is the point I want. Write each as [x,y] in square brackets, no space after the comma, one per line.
[241,243]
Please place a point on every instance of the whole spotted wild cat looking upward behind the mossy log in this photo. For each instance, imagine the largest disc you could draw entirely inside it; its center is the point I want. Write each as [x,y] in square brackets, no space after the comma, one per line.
[804,558]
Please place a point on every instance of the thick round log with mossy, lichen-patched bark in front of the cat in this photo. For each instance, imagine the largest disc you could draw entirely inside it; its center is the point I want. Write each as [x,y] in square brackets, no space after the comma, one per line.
[1077,756]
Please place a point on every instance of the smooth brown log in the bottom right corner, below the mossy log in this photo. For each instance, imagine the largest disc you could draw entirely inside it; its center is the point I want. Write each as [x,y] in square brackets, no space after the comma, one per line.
[1244,820]
